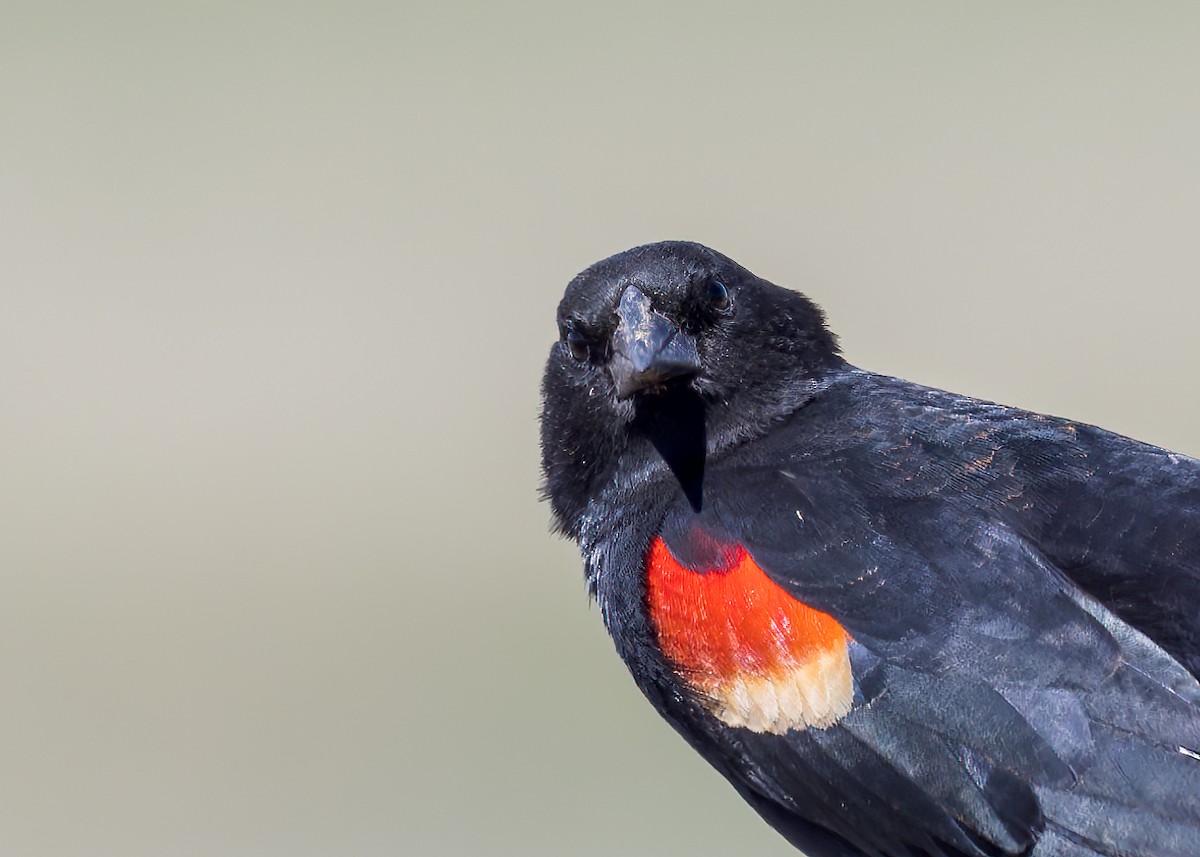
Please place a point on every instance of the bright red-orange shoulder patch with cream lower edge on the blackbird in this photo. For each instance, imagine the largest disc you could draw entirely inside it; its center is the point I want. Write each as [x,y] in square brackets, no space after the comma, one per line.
[757,657]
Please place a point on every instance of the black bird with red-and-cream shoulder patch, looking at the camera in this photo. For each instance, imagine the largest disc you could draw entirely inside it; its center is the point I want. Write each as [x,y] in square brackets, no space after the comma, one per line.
[899,621]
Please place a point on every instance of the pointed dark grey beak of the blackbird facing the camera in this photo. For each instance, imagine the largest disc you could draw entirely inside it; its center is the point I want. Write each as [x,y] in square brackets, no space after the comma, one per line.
[647,349]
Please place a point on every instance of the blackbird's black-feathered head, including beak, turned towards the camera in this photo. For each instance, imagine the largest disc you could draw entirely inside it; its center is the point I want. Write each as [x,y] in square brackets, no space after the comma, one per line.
[659,338]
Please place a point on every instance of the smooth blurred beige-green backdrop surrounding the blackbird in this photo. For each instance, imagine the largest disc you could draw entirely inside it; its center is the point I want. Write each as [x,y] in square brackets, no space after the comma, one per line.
[277,286]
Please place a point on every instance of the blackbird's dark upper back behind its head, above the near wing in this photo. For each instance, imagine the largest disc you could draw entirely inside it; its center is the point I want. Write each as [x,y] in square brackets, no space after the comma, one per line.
[1121,519]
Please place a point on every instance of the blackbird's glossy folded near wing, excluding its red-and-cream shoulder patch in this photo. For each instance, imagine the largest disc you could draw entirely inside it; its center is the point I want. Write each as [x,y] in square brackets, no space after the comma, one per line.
[999,709]
